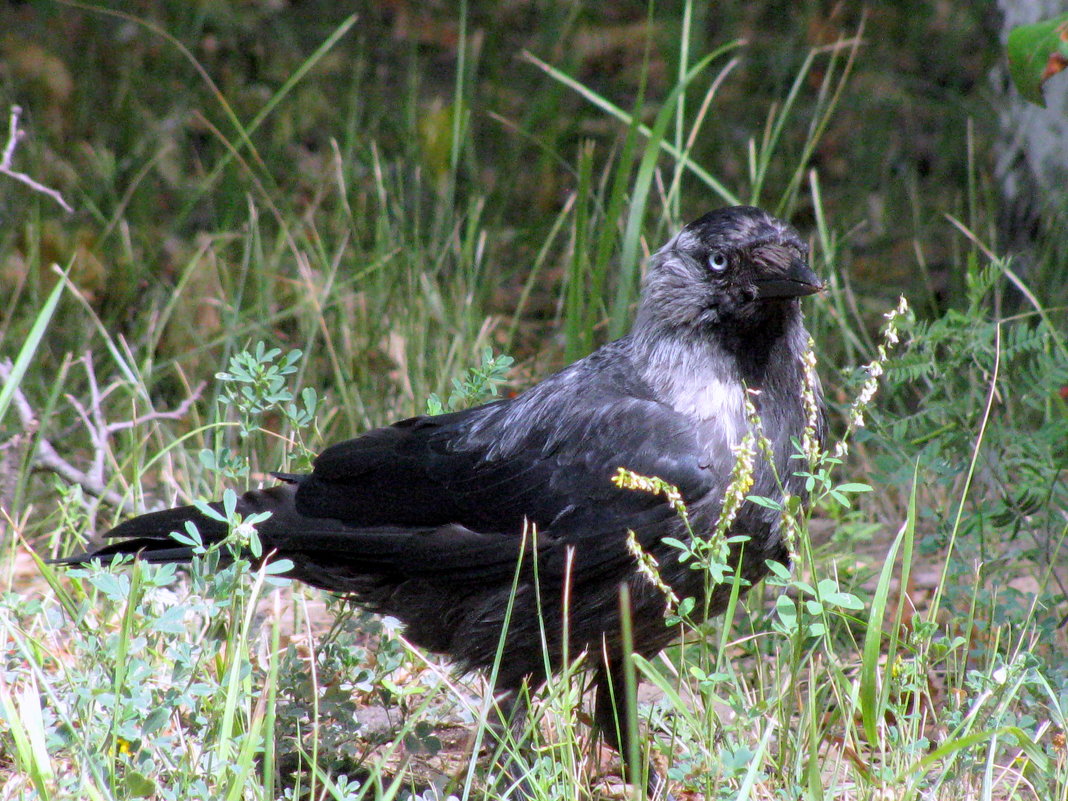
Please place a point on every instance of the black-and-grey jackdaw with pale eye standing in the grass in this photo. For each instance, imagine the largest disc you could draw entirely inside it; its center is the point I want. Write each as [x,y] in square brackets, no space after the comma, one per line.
[499,522]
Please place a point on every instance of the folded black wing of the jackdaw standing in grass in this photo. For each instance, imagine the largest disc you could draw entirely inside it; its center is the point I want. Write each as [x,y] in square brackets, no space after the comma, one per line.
[441,496]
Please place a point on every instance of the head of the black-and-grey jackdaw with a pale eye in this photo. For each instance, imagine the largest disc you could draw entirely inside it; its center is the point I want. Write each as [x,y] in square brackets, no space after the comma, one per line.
[739,269]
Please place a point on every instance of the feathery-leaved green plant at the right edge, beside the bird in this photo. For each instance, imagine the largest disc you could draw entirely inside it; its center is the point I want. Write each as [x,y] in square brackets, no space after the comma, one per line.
[1009,373]
